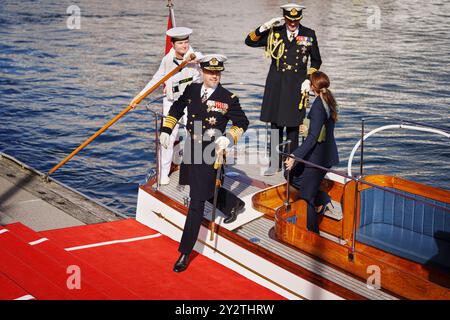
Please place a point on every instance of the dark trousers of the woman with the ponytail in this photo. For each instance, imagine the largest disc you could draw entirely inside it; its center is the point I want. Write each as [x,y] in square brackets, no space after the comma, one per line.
[307,181]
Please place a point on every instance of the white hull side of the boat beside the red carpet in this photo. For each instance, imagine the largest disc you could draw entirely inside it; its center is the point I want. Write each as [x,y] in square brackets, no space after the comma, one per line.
[256,268]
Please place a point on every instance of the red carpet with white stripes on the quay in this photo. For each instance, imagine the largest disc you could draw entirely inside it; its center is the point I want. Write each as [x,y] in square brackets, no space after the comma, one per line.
[134,270]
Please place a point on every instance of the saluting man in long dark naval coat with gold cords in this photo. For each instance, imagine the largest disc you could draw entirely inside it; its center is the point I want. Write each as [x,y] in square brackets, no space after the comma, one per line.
[291,47]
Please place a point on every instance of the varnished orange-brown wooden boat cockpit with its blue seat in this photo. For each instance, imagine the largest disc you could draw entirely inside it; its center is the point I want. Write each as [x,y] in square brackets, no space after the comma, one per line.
[407,238]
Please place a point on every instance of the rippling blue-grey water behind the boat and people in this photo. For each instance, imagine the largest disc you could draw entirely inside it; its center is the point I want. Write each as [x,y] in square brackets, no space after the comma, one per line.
[58,86]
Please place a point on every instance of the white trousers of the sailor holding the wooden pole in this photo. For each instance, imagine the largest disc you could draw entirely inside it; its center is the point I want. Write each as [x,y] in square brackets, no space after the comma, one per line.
[167,155]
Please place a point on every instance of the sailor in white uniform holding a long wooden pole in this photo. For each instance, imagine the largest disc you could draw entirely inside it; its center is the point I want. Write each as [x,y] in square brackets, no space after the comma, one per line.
[174,86]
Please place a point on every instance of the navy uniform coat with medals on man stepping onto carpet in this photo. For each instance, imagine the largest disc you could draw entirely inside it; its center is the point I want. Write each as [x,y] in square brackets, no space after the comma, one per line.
[221,107]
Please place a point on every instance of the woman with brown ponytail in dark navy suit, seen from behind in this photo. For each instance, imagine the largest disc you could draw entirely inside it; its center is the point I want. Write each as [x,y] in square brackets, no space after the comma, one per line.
[319,148]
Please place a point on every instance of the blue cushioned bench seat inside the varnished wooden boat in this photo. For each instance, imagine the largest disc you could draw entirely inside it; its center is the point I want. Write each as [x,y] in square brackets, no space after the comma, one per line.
[404,227]
